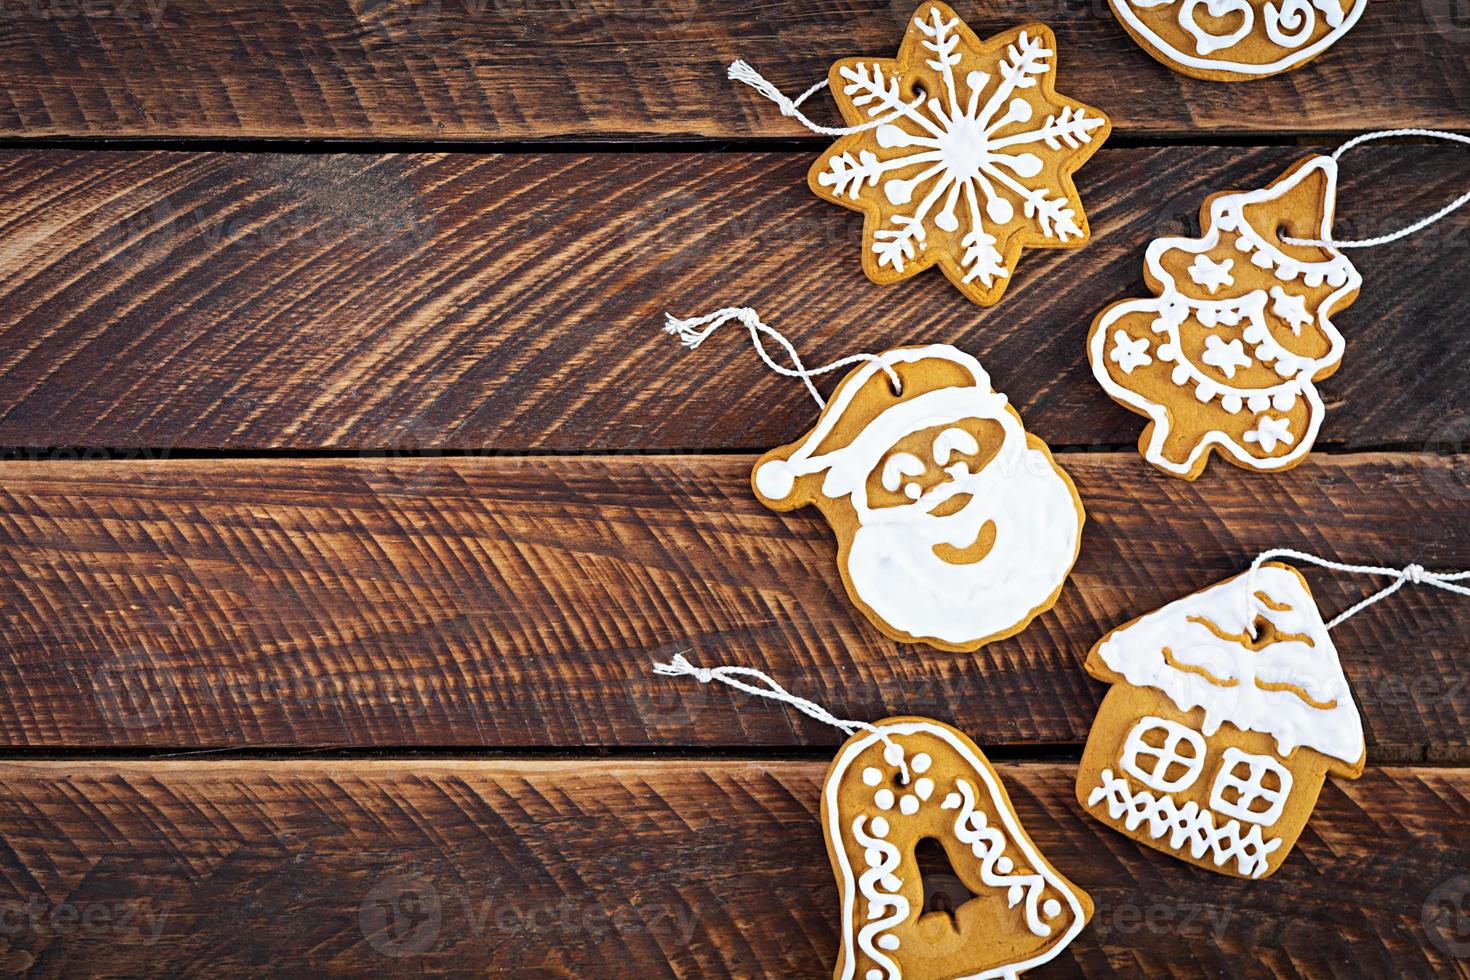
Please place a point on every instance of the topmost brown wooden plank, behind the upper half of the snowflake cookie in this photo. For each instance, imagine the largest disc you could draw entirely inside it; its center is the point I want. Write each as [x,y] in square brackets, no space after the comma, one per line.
[483,70]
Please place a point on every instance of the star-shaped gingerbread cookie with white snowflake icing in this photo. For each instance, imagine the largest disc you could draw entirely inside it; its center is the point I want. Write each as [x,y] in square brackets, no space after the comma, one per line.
[974,162]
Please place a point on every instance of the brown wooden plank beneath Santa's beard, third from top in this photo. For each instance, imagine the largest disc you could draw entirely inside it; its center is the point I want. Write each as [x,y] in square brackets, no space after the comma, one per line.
[523,602]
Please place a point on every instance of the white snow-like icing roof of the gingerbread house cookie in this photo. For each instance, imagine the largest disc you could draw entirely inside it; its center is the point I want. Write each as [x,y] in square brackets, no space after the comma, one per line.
[1288,685]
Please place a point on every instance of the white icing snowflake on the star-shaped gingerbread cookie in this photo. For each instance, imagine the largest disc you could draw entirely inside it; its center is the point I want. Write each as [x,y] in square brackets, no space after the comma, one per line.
[964,152]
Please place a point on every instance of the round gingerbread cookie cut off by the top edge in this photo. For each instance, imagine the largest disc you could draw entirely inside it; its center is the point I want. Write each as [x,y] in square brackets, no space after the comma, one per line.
[1237,40]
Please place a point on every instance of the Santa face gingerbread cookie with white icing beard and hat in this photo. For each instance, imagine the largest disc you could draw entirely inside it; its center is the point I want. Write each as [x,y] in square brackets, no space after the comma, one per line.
[955,527]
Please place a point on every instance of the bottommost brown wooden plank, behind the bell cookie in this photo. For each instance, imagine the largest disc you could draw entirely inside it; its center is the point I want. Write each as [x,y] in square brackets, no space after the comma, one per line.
[692,869]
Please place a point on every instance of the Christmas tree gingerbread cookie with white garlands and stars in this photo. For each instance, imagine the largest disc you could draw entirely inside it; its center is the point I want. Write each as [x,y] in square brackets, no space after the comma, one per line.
[1230,350]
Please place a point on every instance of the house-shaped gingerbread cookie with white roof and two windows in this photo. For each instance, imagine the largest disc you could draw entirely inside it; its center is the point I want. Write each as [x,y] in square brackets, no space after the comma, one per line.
[1213,744]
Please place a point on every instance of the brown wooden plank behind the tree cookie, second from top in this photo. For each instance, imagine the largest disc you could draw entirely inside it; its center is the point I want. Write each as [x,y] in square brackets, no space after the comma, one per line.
[262,302]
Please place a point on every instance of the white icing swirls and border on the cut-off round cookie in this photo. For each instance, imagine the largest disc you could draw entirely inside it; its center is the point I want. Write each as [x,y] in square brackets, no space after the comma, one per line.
[1288,27]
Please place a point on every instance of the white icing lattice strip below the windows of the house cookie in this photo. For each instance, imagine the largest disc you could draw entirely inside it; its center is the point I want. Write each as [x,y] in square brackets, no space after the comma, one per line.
[1187,826]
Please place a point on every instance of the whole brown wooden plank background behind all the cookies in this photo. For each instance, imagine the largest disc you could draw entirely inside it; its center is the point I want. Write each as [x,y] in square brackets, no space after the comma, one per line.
[351,490]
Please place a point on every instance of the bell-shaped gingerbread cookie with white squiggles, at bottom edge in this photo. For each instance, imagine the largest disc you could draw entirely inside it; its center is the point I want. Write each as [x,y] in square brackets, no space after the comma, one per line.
[1015,912]
